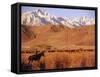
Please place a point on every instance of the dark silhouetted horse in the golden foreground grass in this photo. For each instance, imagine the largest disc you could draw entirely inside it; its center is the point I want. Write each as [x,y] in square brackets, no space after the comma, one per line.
[35,57]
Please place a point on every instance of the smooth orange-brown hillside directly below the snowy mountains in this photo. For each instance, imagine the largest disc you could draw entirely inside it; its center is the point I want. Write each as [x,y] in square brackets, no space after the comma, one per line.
[58,36]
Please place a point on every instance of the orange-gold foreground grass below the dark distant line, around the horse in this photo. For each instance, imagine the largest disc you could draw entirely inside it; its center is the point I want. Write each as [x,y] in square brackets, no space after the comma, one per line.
[63,59]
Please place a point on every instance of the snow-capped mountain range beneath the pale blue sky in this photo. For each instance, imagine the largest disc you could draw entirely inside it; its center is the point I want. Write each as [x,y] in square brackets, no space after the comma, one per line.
[41,17]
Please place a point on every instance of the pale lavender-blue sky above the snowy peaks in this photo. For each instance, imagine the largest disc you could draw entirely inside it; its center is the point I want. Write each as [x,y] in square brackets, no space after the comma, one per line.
[62,12]
